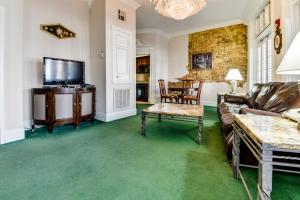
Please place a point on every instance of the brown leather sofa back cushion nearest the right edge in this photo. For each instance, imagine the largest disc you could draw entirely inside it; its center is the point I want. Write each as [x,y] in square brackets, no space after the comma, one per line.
[287,97]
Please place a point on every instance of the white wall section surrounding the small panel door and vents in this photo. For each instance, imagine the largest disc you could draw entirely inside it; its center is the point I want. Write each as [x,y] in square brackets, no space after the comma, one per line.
[112,7]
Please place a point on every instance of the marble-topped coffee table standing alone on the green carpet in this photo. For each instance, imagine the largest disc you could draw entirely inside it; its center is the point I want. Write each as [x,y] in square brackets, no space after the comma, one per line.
[178,112]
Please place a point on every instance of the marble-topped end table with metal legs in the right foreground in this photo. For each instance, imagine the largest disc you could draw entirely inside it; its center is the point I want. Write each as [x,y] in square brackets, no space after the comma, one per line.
[274,141]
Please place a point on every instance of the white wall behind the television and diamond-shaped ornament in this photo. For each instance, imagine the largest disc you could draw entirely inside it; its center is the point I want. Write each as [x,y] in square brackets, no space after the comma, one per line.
[37,44]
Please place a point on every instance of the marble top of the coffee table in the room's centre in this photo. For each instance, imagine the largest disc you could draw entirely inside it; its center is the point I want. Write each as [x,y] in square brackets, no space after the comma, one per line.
[176,109]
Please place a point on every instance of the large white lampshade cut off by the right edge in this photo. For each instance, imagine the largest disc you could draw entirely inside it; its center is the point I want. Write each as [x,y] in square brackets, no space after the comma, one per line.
[291,61]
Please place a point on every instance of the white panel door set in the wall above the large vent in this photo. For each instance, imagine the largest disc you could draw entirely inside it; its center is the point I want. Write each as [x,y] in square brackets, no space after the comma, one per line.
[122,55]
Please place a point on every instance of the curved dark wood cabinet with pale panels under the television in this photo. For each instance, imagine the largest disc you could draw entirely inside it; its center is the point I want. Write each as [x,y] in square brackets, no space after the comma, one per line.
[59,106]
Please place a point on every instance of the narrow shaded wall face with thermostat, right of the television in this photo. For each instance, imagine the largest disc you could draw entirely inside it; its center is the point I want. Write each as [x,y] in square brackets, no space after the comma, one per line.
[98,67]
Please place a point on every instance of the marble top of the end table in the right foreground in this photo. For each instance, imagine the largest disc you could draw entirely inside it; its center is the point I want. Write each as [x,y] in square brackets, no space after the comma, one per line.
[273,132]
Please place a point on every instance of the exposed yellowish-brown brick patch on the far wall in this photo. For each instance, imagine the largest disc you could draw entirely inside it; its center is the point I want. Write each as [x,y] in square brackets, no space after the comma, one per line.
[228,46]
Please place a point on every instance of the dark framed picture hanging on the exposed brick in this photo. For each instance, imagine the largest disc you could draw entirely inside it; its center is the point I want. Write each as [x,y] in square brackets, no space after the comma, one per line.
[201,61]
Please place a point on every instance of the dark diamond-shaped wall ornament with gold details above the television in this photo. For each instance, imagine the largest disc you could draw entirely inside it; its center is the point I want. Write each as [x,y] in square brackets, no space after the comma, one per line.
[58,30]
